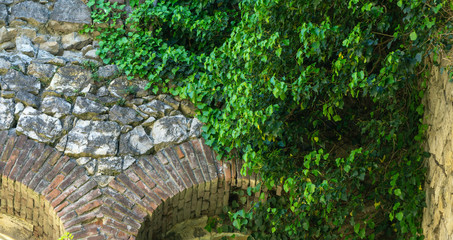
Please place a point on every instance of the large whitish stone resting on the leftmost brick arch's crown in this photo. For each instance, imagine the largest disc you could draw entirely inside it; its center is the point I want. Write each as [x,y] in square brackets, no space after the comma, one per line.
[39,126]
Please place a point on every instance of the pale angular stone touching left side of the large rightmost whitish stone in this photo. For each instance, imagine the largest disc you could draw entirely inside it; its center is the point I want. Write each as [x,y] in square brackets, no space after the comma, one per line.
[136,142]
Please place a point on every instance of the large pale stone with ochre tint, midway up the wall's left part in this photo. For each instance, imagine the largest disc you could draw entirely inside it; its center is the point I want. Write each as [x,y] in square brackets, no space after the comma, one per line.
[69,80]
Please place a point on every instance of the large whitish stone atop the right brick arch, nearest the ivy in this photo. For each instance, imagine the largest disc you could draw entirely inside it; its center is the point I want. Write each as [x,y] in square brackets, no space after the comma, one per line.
[169,130]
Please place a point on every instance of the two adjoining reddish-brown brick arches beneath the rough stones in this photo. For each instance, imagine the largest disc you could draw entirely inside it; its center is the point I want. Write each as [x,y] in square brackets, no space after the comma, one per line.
[175,184]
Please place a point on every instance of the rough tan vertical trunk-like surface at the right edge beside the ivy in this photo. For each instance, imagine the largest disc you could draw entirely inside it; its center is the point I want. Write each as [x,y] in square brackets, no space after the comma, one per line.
[438,215]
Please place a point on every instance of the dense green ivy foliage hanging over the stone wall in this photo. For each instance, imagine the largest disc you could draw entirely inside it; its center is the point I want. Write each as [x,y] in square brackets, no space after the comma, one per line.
[320,97]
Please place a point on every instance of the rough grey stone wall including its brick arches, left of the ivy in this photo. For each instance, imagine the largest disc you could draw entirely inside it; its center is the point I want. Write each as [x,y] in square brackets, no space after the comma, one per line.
[85,151]
